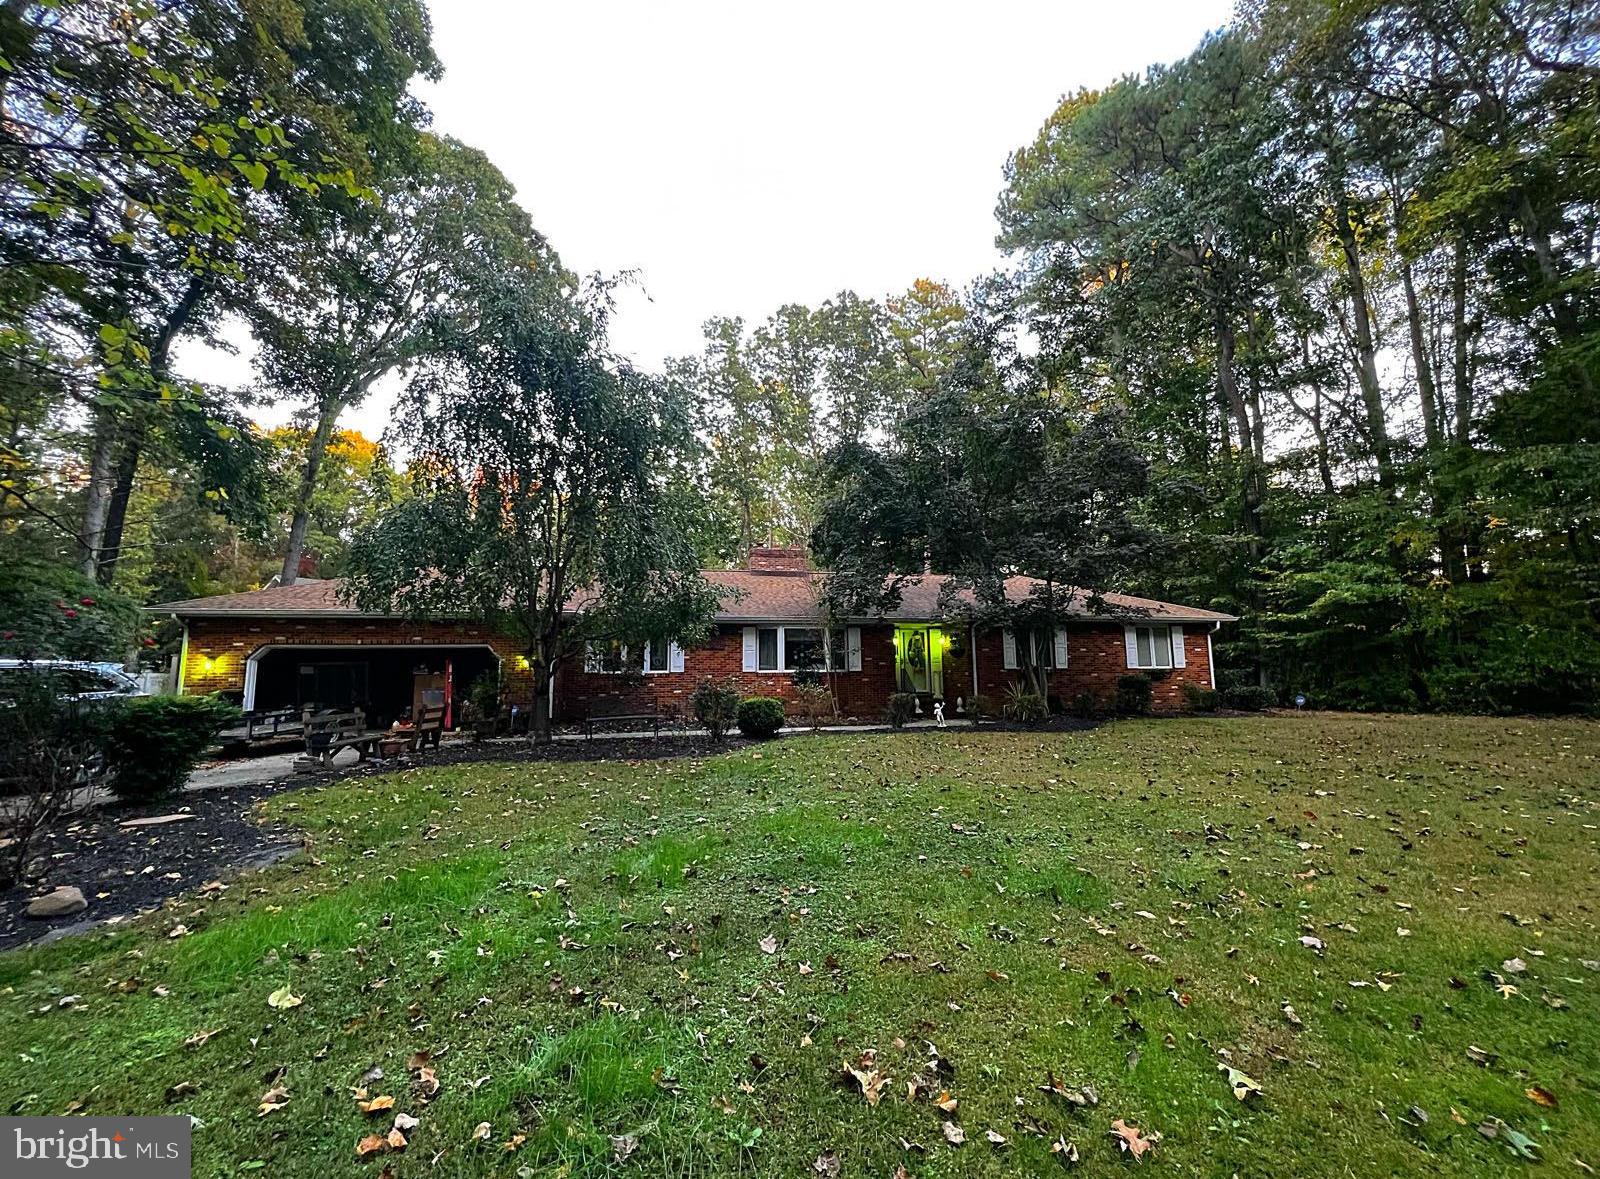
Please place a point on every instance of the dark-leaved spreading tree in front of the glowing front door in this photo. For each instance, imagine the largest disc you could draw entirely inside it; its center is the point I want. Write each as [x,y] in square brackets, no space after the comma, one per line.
[988,474]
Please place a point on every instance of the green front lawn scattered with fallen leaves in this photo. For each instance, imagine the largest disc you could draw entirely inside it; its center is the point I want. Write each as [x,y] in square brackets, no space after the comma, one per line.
[582,951]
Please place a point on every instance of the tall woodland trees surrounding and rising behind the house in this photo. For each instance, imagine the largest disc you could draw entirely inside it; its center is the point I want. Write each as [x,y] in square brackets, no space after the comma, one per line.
[1303,327]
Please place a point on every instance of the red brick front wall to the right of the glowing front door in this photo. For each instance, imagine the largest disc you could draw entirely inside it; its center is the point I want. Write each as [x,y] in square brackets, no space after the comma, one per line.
[1097,657]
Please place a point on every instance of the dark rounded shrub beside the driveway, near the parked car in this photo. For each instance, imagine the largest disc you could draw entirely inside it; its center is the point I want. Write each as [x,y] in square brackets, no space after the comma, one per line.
[156,741]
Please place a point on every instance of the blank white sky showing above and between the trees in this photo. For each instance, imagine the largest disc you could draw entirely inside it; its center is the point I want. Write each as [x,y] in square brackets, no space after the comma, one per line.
[745,156]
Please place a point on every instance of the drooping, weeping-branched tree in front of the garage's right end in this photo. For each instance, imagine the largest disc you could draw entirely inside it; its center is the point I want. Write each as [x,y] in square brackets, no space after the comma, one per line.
[550,494]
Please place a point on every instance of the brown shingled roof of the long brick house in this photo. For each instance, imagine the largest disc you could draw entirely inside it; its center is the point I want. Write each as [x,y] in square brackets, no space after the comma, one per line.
[756,596]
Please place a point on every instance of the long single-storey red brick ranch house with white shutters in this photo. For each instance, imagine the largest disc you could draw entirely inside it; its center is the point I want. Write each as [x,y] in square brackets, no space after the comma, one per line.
[298,645]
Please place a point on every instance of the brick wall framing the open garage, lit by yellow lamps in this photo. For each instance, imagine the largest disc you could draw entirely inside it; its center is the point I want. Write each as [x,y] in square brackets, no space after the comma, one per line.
[230,642]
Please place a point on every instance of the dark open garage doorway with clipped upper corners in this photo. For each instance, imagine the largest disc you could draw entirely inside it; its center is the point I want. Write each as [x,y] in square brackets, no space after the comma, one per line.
[383,682]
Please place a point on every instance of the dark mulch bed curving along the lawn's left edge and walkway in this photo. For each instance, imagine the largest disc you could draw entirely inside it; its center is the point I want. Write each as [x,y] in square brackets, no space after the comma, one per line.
[126,871]
